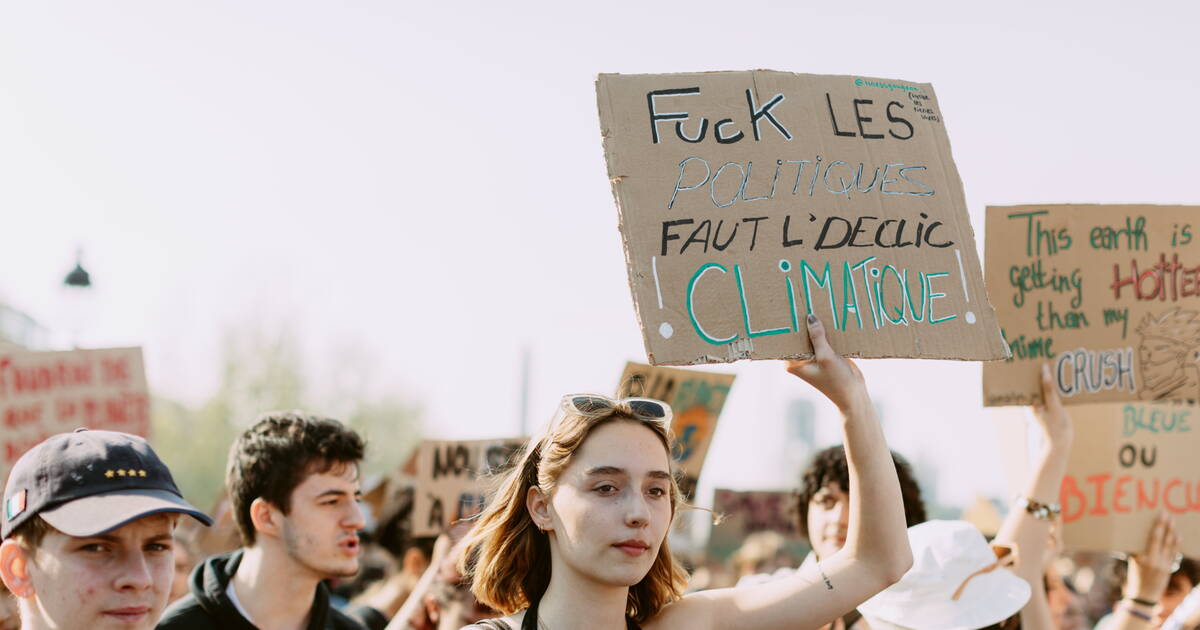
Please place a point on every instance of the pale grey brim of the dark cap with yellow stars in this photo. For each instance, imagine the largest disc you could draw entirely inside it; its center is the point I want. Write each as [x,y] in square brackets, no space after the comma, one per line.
[99,514]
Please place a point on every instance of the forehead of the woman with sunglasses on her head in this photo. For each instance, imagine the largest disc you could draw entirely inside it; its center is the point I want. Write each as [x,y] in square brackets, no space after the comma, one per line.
[622,445]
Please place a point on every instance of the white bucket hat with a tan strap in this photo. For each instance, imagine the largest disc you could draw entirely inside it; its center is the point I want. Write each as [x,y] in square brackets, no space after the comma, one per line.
[957,583]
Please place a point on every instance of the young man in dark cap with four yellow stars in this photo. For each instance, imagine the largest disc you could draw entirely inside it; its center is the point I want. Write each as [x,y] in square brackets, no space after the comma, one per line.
[88,524]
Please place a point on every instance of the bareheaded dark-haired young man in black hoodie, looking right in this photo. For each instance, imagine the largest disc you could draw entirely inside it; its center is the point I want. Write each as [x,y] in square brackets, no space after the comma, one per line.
[293,482]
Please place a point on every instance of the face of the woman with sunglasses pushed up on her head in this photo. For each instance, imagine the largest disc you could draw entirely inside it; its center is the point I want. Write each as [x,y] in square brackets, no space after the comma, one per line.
[611,508]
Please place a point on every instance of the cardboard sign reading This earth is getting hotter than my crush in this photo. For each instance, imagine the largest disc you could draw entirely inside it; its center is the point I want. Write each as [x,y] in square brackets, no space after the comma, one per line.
[1108,295]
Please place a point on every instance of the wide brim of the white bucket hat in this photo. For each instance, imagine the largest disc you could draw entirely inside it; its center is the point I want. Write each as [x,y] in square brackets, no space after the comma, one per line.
[987,601]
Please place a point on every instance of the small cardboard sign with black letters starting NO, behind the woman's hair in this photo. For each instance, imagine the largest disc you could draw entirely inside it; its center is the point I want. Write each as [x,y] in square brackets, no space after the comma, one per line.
[449,479]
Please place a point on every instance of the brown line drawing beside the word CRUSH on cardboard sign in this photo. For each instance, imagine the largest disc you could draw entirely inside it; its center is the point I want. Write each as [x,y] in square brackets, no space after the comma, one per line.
[1169,356]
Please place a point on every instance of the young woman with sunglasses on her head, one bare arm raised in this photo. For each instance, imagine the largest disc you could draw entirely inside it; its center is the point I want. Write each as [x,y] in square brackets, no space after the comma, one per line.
[578,535]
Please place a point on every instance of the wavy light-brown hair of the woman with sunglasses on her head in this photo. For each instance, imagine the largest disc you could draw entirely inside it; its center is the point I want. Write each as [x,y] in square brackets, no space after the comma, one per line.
[508,559]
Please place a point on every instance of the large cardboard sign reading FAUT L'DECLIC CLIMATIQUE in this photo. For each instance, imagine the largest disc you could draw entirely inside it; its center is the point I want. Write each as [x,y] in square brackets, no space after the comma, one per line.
[751,200]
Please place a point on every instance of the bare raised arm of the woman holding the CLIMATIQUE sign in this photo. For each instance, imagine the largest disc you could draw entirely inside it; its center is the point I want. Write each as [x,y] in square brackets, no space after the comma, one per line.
[877,554]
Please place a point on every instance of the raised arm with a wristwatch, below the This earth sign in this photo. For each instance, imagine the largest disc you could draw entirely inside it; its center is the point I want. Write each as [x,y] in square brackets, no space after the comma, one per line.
[1027,527]
